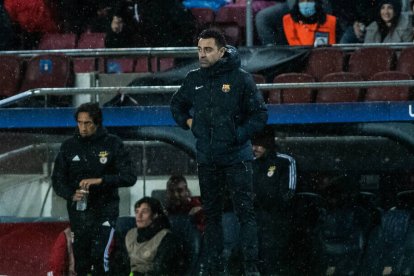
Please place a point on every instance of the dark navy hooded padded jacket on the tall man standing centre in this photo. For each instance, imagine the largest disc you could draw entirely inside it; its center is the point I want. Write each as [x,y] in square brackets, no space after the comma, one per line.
[226,108]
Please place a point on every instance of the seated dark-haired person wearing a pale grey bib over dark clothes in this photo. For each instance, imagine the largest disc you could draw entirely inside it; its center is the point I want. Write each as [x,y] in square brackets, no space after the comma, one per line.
[151,247]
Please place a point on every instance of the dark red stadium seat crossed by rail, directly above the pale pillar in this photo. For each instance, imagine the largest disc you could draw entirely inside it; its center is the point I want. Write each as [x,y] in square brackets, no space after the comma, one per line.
[90,41]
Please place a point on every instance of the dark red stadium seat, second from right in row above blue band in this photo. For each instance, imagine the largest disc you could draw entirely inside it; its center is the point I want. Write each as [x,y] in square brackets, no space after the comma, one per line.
[339,94]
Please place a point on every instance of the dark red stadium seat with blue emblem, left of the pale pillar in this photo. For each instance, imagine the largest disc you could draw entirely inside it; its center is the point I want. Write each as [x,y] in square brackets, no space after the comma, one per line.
[51,71]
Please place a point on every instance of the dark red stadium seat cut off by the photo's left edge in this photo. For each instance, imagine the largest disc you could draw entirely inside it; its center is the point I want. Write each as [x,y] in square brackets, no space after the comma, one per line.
[11,75]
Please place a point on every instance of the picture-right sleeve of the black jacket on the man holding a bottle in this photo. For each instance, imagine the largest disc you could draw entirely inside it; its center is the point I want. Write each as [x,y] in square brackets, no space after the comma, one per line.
[125,170]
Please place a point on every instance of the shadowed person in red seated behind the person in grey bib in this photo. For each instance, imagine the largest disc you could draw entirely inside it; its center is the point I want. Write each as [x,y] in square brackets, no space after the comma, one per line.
[180,201]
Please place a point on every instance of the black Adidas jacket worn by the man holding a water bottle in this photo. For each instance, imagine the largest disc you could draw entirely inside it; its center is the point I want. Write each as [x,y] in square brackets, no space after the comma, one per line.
[101,155]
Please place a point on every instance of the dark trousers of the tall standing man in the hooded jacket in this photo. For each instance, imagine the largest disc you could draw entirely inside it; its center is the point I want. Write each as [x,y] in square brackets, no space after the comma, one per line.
[237,178]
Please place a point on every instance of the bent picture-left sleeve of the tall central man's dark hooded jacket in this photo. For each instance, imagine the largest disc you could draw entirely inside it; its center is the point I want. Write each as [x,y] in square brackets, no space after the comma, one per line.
[181,104]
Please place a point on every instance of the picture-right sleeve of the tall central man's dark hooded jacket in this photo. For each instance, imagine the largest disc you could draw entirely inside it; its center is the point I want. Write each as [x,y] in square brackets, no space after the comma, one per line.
[254,111]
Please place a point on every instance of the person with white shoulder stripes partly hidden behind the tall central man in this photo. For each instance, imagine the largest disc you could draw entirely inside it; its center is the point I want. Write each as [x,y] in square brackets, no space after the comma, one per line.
[274,183]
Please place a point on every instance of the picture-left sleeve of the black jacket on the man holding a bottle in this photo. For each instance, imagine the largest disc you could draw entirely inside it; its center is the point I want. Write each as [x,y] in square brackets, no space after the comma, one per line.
[60,177]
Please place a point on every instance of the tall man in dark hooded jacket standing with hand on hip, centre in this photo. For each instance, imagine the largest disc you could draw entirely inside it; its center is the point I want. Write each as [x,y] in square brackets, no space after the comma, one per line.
[219,102]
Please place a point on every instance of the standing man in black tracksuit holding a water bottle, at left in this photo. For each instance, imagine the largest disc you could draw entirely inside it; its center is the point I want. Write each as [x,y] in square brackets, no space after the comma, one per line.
[93,163]
